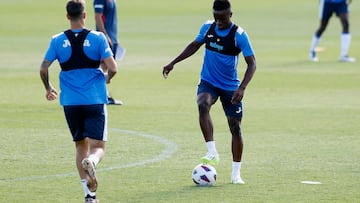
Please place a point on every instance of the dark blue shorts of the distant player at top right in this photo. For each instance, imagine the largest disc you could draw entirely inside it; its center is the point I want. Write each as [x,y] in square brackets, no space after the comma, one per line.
[327,9]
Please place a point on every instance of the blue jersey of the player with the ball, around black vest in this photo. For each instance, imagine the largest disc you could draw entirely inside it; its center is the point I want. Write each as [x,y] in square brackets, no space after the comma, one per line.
[218,69]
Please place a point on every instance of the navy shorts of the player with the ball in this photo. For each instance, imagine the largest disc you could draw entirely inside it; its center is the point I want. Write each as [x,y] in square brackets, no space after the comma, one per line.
[231,110]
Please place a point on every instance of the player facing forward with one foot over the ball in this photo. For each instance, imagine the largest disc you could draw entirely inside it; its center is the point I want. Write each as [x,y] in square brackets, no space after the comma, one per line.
[218,79]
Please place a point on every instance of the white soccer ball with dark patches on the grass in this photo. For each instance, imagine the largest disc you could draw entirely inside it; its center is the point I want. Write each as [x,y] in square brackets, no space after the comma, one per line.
[204,175]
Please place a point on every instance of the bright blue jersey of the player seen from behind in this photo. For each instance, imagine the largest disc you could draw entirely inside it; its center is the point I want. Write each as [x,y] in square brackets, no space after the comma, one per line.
[84,86]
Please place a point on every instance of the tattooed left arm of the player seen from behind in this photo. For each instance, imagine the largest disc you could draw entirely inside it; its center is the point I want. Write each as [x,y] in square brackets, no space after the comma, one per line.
[51,93]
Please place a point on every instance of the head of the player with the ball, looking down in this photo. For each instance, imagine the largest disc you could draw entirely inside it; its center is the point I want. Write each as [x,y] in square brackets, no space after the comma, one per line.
[222,13]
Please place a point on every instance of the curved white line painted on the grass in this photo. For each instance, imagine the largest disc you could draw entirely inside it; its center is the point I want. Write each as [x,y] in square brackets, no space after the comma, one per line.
[170,149]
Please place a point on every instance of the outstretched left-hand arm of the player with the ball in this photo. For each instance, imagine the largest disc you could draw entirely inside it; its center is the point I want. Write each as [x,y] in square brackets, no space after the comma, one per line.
[189,50]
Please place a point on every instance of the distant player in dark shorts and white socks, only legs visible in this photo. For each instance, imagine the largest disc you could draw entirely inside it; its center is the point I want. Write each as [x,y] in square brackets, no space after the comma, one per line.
[326,9]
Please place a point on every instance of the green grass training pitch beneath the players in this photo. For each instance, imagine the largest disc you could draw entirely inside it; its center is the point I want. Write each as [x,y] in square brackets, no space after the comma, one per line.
[301,119]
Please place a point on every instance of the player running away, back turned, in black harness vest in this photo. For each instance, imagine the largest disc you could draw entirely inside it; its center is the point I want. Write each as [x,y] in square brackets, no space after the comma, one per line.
[83,90]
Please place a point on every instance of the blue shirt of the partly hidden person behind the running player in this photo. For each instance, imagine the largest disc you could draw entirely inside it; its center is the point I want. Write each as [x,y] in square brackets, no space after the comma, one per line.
[108,9]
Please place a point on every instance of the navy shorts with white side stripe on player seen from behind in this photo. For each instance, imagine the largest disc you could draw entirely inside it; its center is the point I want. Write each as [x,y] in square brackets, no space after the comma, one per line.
[87,121]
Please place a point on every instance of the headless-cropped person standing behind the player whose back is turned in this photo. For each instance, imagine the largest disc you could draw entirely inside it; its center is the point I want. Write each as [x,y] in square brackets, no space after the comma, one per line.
[106,22]
